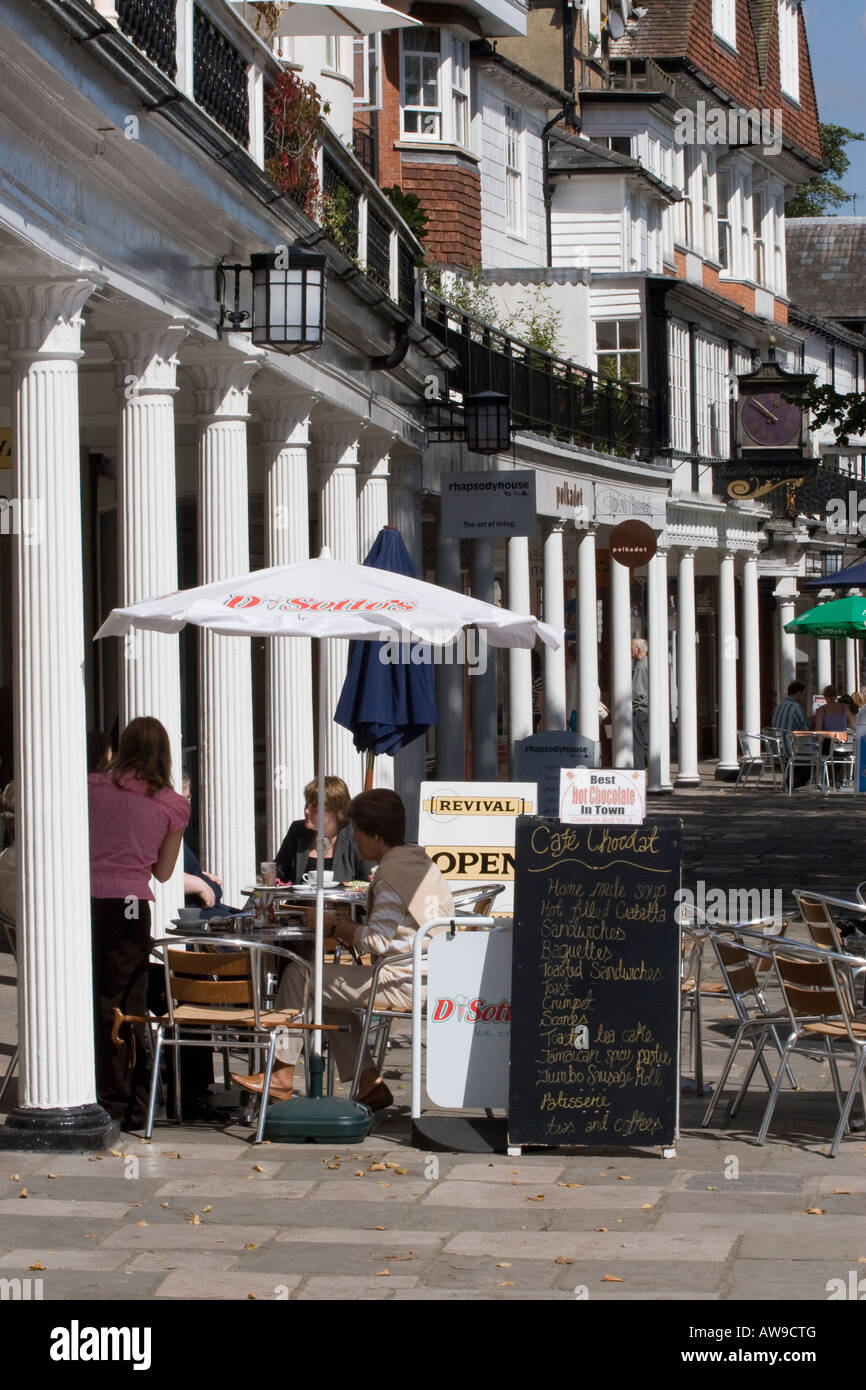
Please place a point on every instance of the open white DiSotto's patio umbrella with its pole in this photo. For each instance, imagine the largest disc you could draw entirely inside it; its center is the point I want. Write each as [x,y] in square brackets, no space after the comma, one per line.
[326,598]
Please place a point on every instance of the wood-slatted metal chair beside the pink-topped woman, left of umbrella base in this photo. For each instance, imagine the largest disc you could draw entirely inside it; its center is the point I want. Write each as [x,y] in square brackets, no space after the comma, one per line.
[213,997]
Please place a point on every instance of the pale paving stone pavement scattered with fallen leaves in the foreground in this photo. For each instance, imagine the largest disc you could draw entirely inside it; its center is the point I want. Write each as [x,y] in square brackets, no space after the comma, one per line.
[205,1214]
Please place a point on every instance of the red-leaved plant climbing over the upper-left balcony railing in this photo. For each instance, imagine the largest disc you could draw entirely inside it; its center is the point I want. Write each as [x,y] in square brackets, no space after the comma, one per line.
[294,112]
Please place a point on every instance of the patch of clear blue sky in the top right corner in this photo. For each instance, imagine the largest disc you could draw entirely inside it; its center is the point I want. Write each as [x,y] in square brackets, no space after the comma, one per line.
[838,44]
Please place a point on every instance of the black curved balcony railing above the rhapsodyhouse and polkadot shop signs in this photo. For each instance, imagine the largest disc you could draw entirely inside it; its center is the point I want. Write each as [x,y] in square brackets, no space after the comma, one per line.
[548,394]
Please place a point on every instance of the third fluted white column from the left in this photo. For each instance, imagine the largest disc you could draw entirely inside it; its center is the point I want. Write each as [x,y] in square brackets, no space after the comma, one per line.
[226,703]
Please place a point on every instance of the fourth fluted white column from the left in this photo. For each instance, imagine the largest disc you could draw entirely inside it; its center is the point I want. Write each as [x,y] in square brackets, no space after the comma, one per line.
[290,744]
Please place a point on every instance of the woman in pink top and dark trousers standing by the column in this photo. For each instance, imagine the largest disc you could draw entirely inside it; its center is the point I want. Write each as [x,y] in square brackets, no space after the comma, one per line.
[137,828]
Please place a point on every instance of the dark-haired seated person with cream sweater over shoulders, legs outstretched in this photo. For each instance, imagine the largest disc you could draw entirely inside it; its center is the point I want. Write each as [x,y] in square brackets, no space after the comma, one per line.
[407,893]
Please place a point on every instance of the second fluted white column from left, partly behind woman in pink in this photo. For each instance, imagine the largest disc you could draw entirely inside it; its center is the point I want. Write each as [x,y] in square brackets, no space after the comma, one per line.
[148,534]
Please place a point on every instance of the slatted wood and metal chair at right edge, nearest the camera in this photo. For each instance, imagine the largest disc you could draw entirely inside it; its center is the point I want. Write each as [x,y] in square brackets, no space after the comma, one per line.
[819,1007]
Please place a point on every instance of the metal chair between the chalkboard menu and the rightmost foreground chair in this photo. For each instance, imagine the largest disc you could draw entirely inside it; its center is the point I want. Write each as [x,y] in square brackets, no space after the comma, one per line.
[757,1021]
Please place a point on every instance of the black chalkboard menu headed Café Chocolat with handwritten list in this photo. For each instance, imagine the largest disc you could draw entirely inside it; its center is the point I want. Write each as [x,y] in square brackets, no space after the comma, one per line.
[596,985]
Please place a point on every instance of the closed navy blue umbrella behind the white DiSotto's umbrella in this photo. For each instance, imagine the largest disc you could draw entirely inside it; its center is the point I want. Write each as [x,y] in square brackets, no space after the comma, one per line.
[389,704]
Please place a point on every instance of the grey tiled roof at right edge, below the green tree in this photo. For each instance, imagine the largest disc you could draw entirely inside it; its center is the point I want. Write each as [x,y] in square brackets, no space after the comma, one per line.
[828,266]
